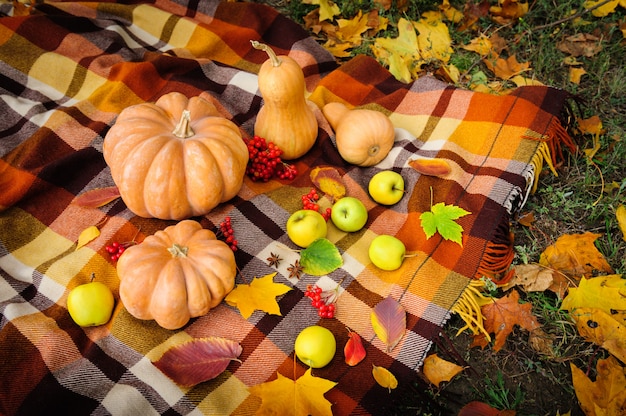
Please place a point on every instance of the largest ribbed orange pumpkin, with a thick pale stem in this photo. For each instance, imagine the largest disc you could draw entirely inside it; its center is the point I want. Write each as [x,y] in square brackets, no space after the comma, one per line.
[175,158]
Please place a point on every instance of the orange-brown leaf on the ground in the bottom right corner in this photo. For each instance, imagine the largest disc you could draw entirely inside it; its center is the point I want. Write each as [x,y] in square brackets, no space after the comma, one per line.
[606,395]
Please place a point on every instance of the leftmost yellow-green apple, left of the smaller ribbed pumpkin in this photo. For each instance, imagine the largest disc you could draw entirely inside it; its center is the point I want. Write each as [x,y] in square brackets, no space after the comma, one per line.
[90,304]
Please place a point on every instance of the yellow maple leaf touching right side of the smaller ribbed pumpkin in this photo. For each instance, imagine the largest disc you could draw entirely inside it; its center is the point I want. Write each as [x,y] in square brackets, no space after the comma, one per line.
[260,294]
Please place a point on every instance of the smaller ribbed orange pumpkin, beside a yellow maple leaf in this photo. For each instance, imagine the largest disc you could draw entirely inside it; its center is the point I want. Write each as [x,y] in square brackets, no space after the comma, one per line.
[176,274]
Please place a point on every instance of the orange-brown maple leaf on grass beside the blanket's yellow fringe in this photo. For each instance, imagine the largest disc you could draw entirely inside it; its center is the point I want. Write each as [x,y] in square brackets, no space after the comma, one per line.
[501,316]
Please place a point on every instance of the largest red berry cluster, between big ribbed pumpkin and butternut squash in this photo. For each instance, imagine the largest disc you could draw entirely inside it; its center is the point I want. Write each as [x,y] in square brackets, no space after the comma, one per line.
[264,161]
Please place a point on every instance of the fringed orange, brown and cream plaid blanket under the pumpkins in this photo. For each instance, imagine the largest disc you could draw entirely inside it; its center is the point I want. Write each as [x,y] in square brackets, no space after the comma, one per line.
[68,69]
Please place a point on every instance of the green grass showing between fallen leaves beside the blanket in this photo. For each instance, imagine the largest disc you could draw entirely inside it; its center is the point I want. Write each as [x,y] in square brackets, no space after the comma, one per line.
[582,198]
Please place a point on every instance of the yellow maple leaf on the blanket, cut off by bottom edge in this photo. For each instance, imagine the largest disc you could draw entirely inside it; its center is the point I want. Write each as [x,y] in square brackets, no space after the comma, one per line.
[302,397]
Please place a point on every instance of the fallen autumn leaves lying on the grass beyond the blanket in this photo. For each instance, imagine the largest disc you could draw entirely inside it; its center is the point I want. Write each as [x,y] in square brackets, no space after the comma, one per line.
[571,268]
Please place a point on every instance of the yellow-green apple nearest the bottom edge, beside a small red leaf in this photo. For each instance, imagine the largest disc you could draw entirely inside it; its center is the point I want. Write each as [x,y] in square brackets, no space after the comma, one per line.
[315,346]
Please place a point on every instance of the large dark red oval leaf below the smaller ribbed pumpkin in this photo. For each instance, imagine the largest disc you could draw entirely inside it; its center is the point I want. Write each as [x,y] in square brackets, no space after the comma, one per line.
[198,360]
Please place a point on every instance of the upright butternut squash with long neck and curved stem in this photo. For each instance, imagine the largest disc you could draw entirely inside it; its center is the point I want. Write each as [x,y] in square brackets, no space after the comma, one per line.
[286,117]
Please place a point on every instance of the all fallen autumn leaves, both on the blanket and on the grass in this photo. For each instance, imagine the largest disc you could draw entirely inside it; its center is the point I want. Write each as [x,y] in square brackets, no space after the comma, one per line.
[571,268]
